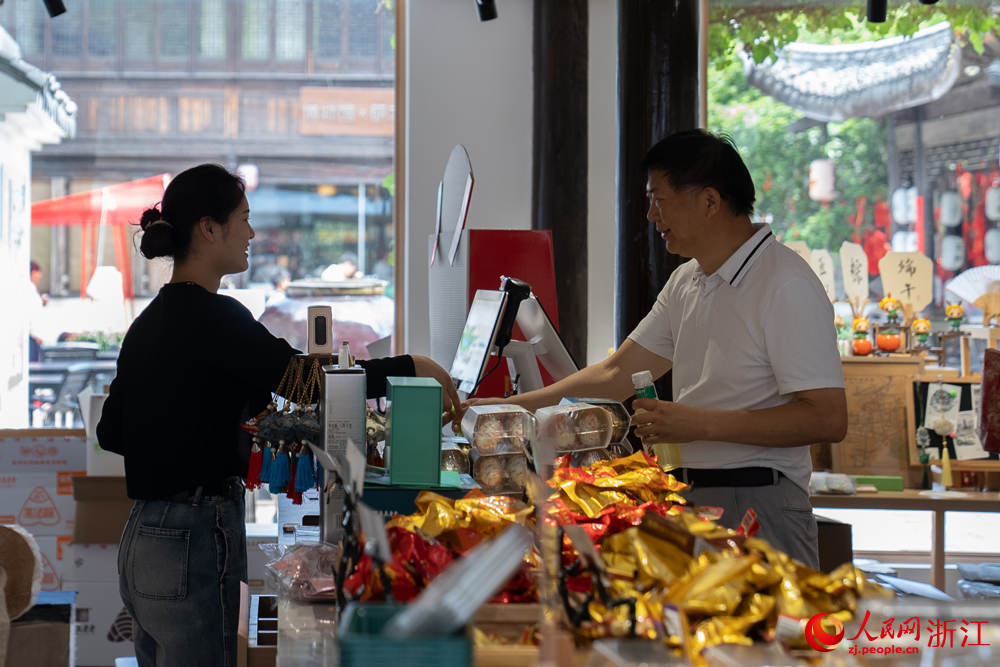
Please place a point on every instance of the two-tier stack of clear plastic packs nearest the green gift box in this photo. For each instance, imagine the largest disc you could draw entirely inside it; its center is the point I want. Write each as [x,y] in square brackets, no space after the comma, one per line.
[500,436]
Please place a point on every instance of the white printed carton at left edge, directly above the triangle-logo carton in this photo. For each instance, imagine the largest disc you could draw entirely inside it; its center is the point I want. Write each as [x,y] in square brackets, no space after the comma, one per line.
[42,450]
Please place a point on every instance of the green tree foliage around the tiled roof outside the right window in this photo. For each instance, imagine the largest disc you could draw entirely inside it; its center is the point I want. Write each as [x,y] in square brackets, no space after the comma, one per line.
[779,158]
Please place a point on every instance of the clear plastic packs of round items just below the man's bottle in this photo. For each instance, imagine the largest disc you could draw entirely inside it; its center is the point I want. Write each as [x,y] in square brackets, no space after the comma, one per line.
[581,429]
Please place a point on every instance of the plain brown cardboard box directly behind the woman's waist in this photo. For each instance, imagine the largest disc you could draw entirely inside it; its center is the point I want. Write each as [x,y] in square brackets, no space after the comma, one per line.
[102,509]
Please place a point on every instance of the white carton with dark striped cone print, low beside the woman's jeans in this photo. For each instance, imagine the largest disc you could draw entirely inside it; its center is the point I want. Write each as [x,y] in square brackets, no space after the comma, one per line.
[103,627]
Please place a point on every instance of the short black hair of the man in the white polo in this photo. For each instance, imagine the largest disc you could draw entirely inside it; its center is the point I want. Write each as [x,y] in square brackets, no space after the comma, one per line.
[696,158]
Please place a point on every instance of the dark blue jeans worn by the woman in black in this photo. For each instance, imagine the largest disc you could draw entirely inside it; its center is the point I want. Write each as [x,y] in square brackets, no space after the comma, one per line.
[180,565]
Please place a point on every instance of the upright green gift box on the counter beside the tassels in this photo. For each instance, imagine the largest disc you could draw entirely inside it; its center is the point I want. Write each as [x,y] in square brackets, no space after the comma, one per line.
[414,430]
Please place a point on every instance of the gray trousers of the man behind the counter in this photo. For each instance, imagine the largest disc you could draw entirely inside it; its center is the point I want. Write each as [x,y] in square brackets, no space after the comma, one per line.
[783,511]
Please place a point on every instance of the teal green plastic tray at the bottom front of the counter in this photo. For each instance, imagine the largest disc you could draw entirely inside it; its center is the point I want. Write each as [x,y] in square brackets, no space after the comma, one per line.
[362,644]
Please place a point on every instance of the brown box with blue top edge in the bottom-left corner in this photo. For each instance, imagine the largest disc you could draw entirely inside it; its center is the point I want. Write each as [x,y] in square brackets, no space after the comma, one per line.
[42,637]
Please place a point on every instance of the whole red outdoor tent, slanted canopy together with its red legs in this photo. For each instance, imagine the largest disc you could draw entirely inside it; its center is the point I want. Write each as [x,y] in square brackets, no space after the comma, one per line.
[116,206]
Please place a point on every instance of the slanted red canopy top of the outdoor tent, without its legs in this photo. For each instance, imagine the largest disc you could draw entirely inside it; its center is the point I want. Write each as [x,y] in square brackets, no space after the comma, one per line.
[120,204]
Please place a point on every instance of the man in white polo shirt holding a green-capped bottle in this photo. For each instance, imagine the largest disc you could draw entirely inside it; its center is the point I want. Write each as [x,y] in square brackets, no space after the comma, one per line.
[748,330]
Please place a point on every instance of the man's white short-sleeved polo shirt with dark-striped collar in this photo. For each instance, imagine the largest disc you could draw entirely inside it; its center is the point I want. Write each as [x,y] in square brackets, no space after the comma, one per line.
[745,338]
